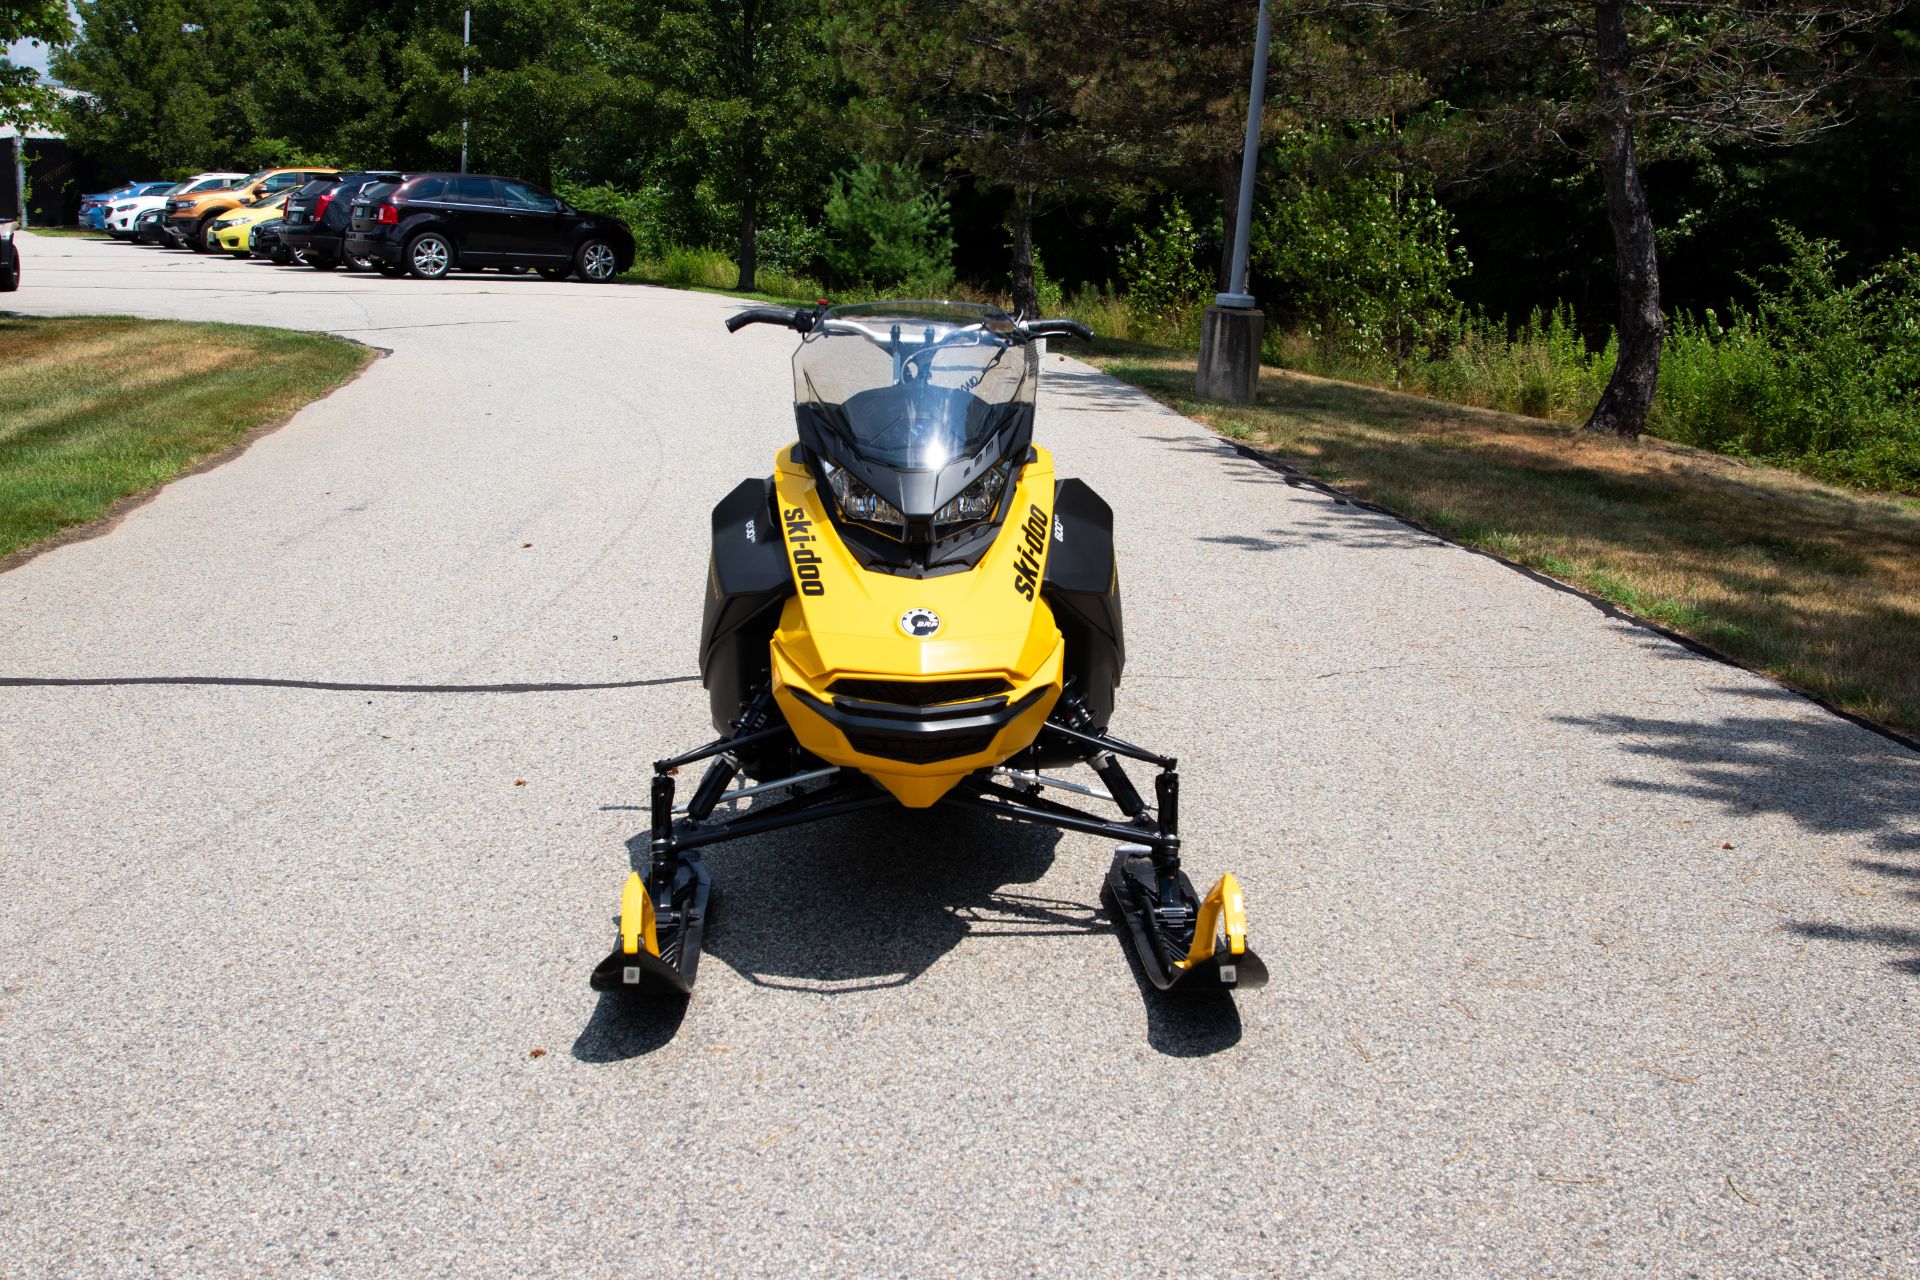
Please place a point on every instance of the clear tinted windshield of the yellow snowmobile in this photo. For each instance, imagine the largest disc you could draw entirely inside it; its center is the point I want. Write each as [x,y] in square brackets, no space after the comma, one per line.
[913,385]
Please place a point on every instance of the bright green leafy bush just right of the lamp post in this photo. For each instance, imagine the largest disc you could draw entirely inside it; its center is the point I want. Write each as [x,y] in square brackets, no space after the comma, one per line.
[1366,260]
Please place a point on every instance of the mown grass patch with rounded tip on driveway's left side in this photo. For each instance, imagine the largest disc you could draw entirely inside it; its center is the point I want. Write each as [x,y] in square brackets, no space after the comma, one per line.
[99,408]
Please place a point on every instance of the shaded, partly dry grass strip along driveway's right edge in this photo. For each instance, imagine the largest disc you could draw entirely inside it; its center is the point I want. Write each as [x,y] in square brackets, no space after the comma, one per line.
[1808,582]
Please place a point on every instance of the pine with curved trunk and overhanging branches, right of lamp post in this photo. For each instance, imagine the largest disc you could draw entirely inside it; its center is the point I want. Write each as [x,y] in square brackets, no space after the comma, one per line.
[1620,78]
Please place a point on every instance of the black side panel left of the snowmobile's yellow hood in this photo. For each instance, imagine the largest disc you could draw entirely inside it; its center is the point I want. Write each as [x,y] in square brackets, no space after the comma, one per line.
[748,582]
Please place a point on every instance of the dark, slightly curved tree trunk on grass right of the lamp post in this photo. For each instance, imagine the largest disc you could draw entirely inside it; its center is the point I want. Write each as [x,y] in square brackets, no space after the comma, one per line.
[1629,398]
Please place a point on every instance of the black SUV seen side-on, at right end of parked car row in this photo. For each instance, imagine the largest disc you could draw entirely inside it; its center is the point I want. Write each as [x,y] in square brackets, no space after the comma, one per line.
[443,222]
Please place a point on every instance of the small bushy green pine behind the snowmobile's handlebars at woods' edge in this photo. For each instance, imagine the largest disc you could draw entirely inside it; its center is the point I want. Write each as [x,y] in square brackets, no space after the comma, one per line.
[886,225]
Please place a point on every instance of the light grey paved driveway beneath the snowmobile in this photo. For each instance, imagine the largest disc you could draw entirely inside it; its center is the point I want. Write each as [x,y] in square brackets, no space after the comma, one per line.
[1593,957]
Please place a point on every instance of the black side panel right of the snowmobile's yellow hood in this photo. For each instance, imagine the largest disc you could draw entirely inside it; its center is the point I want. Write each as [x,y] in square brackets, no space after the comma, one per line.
[1082,588]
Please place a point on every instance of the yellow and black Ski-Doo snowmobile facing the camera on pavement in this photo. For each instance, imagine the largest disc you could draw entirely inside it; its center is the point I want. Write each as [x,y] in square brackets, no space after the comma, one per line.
[913,609]
